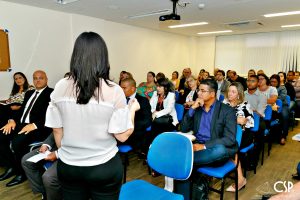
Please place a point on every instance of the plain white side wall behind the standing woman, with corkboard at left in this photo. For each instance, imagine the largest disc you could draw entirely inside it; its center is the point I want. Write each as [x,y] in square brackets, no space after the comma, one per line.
[43,39]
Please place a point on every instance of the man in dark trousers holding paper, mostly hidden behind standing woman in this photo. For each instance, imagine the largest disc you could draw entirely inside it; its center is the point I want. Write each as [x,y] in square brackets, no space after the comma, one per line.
[42,182]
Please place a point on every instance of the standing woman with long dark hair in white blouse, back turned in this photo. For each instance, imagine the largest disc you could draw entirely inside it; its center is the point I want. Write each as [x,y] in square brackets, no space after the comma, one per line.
[88,112]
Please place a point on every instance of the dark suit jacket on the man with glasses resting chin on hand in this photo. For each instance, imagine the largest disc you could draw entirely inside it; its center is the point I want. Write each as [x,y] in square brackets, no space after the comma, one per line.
[223,126]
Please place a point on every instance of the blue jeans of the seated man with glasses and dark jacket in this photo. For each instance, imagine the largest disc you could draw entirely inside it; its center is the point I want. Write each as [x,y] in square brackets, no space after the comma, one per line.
[215,155]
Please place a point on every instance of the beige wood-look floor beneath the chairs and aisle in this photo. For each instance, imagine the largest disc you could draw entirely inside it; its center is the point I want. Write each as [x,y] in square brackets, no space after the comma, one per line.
[278,167]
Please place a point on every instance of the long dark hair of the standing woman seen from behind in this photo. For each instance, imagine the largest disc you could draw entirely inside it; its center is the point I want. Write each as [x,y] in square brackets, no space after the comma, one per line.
[89,64]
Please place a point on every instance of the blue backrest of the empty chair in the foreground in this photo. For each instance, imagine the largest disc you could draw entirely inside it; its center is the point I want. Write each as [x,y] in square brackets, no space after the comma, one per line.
[171,154]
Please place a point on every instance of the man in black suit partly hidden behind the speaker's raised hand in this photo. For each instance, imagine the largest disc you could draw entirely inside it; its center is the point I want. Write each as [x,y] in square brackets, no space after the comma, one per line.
[143,117]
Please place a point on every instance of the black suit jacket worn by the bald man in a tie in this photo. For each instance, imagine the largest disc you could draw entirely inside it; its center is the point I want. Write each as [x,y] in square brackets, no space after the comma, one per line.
[37,114]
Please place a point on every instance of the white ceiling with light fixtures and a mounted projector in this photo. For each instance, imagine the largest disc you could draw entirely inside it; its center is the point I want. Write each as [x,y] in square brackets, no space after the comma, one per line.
[215,12]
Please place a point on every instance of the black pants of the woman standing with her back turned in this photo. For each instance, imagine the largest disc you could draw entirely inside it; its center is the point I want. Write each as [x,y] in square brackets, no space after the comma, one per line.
[100,182]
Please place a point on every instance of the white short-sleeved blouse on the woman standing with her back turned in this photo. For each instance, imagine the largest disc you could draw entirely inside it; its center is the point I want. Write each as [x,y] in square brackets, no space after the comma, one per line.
[88,129]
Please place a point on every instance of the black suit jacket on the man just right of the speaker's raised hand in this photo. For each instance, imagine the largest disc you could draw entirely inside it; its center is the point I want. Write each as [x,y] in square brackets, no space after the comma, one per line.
[143,117]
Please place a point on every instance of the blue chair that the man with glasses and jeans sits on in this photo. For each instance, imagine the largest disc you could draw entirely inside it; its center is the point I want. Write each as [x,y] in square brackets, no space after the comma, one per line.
[223,171]
